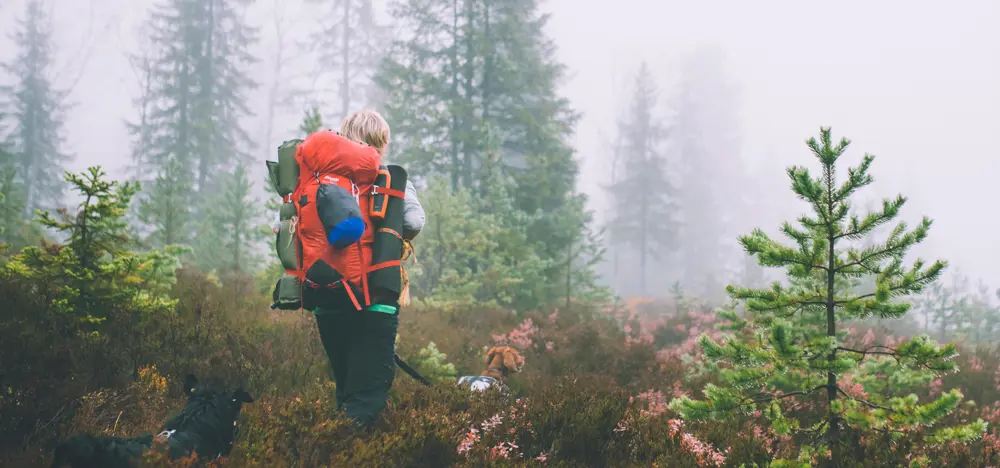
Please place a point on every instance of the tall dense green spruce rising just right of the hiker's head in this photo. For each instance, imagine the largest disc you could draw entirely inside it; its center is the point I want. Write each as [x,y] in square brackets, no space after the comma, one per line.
[487,78]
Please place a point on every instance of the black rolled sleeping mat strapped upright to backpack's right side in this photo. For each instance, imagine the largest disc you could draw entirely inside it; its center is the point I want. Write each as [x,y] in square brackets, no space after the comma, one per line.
[386,283]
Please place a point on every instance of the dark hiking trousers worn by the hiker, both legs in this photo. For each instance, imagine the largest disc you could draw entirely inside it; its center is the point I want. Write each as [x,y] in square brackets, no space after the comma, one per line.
[360,346]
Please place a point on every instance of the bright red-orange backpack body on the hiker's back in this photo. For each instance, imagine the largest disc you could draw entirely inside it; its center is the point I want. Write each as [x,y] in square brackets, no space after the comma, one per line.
[323,158]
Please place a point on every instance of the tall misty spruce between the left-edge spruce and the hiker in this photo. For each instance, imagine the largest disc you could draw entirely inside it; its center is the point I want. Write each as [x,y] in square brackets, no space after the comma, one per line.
[189,132]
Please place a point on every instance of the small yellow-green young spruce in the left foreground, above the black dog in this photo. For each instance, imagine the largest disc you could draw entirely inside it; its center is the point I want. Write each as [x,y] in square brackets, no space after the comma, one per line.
[95,273]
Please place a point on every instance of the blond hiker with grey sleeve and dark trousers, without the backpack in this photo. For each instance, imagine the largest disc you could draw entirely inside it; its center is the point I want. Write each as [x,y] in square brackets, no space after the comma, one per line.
[360,344]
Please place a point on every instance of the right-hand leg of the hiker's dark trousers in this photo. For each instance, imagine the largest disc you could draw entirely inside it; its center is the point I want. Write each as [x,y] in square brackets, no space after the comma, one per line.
[371,365]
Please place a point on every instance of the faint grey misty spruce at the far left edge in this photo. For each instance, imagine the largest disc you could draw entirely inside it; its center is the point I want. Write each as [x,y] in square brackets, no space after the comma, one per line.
[36,109]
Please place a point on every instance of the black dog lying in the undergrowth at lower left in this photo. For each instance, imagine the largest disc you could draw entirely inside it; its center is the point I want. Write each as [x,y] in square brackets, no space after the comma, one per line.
[206,426]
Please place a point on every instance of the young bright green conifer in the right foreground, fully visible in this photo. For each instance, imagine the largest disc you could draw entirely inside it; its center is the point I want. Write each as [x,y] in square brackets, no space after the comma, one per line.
[791,349]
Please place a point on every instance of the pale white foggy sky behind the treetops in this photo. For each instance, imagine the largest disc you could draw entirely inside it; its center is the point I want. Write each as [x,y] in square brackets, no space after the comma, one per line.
[917,84]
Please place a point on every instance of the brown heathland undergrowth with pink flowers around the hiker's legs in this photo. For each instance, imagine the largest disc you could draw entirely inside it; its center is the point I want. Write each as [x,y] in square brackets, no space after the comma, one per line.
[594,392]
